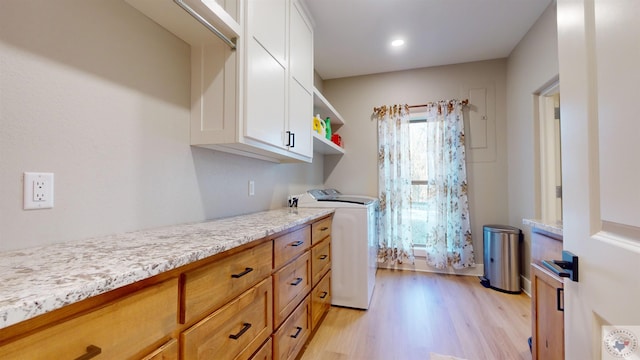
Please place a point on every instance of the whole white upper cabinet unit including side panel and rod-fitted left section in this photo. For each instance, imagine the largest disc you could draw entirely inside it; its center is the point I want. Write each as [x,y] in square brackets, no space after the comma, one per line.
[245,100]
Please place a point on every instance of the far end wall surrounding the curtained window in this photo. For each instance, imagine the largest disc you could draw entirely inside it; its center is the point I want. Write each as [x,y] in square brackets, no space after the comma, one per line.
[355,98]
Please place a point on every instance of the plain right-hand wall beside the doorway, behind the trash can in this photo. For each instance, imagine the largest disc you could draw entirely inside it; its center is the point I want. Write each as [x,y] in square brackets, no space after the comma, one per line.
[530,68]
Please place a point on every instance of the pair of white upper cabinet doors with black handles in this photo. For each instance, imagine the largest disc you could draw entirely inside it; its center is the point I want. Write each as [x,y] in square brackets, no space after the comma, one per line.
[278,112]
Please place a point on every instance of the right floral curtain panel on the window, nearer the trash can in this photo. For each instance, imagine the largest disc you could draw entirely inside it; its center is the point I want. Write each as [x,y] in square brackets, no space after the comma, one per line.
[446,218]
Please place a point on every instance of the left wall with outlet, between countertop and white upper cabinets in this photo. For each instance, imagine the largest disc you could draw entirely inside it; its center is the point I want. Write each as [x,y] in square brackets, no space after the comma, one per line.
[98,94]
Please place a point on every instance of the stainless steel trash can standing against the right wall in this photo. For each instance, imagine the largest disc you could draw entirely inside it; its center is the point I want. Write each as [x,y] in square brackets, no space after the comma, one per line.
[502,258]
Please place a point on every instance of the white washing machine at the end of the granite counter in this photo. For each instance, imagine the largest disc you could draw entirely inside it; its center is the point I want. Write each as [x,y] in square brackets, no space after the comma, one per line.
[354,244]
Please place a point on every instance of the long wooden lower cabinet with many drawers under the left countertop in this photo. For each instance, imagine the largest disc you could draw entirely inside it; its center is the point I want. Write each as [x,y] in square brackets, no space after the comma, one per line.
[258,302]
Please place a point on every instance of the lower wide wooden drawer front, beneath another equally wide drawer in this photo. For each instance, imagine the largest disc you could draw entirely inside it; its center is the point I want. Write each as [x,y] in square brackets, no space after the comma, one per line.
[235,331]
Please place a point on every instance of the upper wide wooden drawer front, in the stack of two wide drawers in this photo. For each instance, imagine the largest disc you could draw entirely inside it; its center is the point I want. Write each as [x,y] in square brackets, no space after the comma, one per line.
[207,288]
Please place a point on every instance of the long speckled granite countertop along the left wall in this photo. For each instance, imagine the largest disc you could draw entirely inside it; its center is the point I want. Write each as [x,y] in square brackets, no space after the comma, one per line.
[41,279]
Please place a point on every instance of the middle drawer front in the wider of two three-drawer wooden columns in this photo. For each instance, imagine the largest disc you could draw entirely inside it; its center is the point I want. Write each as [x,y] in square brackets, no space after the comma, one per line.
[291,284]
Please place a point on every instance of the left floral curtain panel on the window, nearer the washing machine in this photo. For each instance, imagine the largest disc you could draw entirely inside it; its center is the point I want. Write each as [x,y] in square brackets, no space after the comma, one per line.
[394,185]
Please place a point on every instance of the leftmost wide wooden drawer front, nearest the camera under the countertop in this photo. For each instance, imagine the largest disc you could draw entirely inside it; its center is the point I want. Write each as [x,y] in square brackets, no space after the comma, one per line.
[119,330]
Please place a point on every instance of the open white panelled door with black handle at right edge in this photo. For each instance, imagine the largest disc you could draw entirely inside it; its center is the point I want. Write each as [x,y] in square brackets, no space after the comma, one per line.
[599,58]
